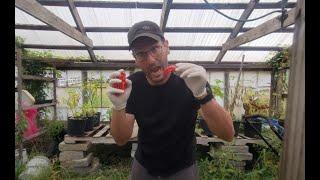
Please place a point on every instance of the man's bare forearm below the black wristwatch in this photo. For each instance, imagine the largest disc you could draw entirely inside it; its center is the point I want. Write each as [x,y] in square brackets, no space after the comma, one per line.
[218,120]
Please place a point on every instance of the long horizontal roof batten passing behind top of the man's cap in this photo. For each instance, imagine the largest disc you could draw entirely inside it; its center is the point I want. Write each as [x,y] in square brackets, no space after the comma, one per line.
[167,29]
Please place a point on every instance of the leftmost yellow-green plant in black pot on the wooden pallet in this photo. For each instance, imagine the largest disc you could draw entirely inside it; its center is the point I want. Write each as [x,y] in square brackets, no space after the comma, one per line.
[76,123]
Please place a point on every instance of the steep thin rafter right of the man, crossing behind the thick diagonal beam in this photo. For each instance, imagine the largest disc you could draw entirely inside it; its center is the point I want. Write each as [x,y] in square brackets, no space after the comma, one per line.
[244,16]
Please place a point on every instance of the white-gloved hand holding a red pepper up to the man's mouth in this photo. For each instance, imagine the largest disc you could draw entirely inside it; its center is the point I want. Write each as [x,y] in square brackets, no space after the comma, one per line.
[195,77]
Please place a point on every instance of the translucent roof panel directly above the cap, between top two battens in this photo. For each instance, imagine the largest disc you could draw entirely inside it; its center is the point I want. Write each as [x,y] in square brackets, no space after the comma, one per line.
[106,17]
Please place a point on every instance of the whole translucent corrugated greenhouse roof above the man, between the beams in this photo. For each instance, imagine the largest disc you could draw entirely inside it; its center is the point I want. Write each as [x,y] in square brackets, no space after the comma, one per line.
[194,30]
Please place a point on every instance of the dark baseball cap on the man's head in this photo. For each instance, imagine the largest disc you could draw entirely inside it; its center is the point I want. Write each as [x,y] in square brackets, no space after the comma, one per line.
[144,28]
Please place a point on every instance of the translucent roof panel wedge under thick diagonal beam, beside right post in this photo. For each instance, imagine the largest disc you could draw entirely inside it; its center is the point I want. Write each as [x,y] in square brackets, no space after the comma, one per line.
[274,39]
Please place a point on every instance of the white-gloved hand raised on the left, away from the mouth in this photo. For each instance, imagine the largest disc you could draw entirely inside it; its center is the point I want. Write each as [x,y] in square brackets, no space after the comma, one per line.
[118,97]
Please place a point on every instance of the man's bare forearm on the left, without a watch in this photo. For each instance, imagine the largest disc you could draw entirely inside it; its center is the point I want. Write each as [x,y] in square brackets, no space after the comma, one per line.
[121,126]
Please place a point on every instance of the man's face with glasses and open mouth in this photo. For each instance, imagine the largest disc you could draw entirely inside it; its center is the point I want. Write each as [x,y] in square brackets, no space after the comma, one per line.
[152,57]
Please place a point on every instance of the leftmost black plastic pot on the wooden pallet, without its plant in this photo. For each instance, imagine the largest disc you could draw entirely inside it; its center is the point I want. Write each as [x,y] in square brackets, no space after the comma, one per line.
[76,126]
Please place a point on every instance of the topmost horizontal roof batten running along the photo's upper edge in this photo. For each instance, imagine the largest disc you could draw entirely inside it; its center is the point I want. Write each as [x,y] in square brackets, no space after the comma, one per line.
[158,5]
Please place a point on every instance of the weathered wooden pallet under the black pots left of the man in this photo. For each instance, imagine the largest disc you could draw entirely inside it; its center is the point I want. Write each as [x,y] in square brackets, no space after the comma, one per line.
[99,135]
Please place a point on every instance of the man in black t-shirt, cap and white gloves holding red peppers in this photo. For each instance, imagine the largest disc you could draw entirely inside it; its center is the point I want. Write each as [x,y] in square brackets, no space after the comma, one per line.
[165,108]
